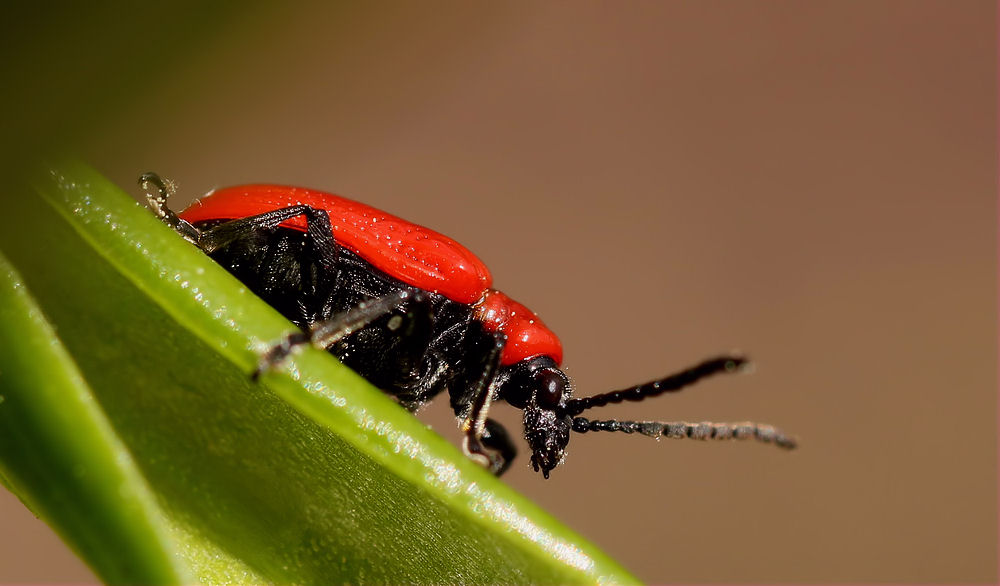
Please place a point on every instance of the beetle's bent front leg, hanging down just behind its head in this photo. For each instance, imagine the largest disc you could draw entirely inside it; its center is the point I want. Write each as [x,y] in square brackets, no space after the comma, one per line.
[476,445]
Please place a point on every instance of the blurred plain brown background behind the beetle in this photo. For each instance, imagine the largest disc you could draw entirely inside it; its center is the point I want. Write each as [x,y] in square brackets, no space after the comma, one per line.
[812,183]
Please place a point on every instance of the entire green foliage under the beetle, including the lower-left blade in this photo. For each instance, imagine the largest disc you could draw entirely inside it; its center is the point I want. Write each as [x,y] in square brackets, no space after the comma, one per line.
[191,471]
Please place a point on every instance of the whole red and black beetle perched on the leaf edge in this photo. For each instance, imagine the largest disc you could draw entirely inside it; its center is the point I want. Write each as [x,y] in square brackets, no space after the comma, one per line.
[414,313]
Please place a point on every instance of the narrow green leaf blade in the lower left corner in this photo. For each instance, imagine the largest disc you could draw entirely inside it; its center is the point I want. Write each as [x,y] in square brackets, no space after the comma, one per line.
[56,440]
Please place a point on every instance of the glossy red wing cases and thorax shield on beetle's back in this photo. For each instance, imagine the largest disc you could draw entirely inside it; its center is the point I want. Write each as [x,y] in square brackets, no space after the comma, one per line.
[415,255]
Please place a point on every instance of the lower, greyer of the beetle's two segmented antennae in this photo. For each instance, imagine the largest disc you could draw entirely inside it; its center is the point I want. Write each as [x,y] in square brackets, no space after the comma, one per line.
[705,430]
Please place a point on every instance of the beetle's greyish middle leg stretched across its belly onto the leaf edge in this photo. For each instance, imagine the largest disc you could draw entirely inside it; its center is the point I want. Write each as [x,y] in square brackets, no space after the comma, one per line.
[327,333]
